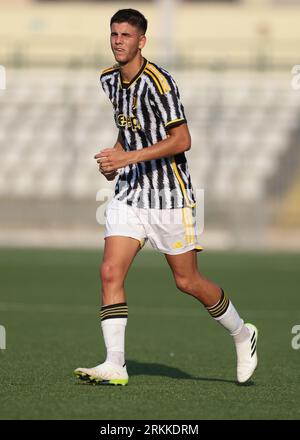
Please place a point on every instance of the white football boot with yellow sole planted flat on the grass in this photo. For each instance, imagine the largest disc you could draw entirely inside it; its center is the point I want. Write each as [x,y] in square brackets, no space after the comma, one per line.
[104,374]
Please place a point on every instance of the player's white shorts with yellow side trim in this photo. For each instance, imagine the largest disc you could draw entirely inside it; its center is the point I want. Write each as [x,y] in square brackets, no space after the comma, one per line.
[171,231]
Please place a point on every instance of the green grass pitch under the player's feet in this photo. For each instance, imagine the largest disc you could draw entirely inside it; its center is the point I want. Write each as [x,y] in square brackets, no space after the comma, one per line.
[181,363]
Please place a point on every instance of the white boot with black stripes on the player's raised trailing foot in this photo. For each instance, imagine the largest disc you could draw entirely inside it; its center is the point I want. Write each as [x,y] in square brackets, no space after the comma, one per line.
[247,355]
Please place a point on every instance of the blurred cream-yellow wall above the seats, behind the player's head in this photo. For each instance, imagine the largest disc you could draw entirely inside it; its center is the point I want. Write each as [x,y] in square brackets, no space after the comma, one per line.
[244,35]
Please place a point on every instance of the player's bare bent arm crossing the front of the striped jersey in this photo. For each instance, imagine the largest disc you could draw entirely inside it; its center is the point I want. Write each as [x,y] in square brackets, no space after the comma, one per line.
[177,141]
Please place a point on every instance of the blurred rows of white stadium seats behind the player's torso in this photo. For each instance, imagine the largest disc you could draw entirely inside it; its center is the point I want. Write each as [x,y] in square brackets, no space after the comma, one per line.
[53,122]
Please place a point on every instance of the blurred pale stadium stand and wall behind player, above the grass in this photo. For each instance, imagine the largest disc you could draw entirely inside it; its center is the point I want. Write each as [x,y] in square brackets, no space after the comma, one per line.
[233,63]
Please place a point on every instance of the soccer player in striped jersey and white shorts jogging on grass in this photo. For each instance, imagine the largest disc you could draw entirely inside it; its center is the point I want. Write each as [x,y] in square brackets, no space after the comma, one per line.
[154,199]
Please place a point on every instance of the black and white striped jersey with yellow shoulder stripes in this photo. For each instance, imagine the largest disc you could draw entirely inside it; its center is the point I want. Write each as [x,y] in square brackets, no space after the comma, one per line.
[144,110]
